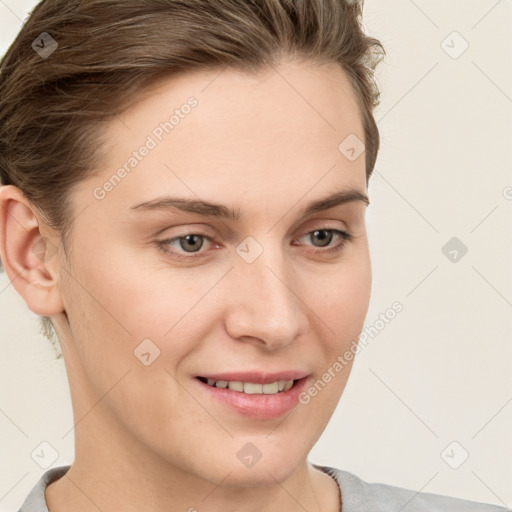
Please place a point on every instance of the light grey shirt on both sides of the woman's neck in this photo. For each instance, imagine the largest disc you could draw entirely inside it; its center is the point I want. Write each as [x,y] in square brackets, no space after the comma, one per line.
[357,496]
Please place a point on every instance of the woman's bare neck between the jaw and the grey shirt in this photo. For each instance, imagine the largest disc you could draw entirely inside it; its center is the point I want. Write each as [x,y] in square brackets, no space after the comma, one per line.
[128,484]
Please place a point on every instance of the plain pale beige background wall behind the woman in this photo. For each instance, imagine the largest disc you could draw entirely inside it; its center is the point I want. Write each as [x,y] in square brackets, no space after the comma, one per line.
[440,371]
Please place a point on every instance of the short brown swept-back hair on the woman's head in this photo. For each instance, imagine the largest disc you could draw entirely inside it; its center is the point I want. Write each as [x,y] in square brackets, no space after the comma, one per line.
[110,50]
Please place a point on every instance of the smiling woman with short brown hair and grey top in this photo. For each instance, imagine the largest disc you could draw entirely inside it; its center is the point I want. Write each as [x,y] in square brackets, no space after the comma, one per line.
[167,168]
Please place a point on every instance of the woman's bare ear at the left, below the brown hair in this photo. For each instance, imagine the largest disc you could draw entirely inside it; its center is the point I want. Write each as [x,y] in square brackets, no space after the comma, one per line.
[29,258]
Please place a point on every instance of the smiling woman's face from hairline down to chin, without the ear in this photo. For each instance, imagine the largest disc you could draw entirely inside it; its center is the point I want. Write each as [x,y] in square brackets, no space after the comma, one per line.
[157,296]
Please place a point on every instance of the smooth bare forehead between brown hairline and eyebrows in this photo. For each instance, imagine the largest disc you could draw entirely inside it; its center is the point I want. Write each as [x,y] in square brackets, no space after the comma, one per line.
[225,132]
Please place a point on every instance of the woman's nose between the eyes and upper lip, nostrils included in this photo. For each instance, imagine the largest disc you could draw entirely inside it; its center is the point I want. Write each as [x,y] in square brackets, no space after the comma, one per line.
[264,305]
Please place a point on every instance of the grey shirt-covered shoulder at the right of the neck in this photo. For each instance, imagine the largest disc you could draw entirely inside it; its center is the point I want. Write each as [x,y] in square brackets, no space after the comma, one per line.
[359,495]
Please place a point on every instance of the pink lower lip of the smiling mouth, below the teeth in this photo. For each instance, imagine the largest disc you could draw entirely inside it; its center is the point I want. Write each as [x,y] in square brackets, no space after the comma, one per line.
[257,406]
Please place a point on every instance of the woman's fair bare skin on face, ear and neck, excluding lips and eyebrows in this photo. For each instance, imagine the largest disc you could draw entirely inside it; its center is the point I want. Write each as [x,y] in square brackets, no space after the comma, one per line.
[145,437]
